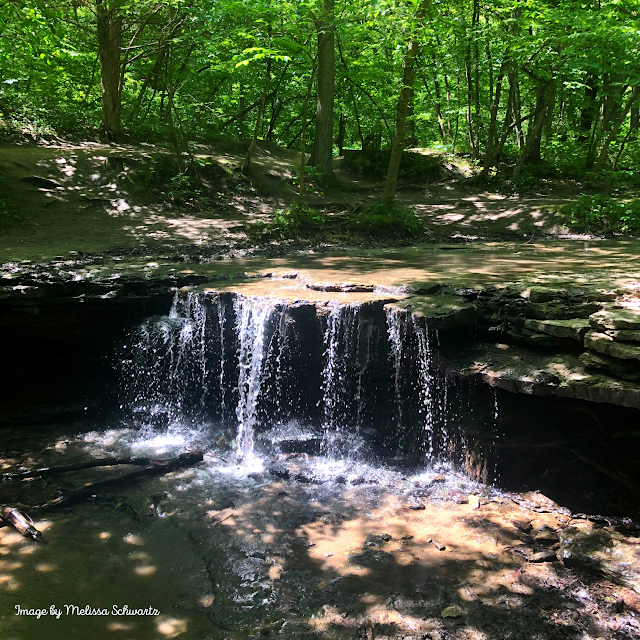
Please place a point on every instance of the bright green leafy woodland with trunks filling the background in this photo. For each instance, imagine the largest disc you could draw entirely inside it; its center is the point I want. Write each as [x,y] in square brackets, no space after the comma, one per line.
[552,80]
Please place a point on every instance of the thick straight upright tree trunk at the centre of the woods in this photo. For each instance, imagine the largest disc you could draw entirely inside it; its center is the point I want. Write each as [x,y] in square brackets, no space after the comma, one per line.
[322,155]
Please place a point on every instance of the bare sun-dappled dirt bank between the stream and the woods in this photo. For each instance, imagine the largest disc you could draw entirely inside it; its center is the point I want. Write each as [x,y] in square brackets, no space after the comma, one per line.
[94,199]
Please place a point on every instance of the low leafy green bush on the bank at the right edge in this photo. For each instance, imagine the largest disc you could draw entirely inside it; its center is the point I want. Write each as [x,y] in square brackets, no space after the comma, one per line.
[601,214]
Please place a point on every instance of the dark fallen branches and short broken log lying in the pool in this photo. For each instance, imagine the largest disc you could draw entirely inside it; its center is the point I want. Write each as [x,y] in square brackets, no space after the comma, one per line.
[22,523]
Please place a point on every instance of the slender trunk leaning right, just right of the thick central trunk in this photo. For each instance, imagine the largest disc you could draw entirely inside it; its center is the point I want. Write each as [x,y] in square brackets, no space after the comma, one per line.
[402,109]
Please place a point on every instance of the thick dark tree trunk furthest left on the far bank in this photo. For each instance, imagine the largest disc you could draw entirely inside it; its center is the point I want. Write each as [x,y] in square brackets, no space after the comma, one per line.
[109,27]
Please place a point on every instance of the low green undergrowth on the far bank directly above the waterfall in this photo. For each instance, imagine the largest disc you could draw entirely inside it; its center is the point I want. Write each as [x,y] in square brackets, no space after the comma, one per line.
[378,222]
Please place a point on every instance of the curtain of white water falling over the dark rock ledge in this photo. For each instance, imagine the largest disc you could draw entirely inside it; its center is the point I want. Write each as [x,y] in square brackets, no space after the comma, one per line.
[335,370]
